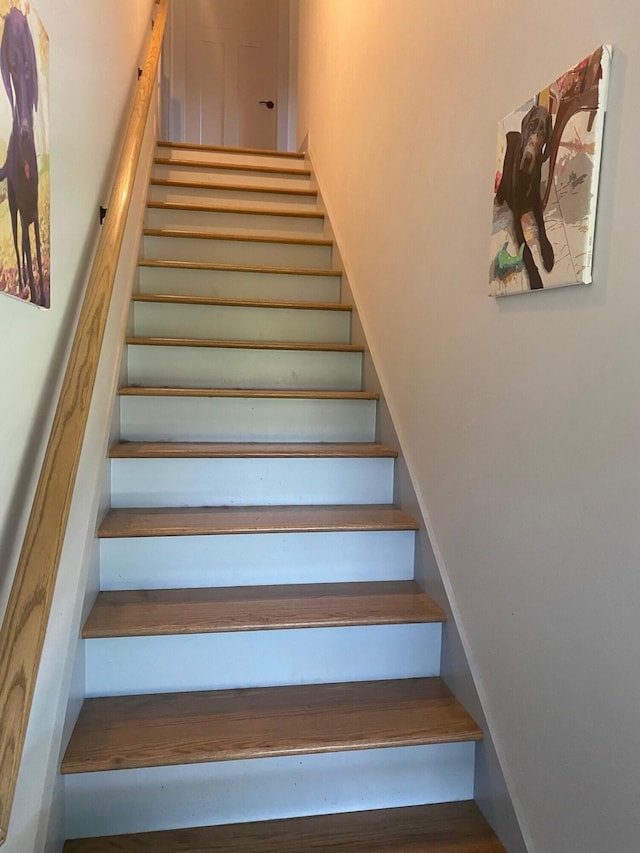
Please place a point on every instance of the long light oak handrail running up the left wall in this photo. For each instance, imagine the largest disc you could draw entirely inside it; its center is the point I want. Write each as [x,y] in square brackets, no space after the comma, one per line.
[29,605]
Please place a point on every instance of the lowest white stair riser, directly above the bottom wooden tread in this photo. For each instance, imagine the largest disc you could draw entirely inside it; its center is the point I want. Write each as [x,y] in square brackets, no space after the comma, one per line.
[267,788]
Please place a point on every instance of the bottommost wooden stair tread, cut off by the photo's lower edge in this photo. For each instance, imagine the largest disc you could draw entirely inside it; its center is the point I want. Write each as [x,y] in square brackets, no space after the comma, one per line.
[439,828]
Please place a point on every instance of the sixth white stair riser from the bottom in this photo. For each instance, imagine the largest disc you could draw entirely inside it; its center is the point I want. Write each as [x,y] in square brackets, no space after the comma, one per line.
[215,367]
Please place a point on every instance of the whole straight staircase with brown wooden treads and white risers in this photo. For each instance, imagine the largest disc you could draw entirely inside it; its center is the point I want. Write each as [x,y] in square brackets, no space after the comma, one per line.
[260,663]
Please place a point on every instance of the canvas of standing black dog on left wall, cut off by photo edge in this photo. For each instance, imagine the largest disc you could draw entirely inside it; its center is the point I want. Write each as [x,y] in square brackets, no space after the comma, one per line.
[24,155]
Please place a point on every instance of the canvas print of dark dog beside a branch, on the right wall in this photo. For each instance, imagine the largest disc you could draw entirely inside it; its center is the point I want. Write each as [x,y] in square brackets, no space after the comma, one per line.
[546,183]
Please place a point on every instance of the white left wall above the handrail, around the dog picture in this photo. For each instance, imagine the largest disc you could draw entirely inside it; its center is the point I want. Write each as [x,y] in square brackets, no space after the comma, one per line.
[95,49]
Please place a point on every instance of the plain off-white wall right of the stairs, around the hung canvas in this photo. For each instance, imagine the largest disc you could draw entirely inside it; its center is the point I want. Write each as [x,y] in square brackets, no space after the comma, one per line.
[519,418]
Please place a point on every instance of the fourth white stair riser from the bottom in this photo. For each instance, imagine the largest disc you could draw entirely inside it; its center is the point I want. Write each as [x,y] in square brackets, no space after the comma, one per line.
[250,482]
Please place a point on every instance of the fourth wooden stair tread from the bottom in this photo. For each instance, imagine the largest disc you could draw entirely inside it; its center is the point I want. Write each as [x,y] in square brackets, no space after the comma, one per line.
[199,521]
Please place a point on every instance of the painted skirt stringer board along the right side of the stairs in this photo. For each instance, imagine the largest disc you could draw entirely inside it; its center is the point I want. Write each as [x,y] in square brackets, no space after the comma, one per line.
[492,789]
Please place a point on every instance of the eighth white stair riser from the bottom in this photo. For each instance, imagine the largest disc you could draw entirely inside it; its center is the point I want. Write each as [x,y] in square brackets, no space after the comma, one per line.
[239,285]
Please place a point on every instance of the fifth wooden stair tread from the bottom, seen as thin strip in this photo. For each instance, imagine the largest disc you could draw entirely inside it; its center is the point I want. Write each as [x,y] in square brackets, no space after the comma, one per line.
[248,450]
